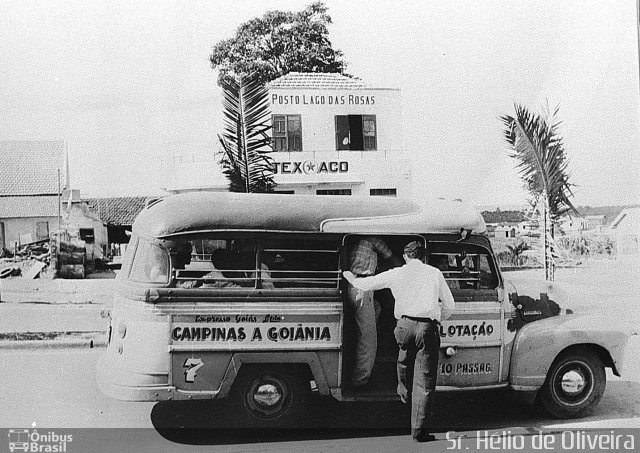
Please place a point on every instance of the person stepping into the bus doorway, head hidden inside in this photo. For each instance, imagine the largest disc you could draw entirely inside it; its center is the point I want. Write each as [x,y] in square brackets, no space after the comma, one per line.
[363,261]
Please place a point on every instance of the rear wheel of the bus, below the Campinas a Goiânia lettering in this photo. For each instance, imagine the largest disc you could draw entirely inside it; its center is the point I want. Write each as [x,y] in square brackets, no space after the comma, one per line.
[271,395]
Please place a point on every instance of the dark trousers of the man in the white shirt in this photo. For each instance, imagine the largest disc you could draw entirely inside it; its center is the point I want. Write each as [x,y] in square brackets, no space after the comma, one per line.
[419,343]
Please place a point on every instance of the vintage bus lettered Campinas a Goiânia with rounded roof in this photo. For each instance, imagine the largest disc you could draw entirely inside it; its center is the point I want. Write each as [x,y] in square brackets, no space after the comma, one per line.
[242,296]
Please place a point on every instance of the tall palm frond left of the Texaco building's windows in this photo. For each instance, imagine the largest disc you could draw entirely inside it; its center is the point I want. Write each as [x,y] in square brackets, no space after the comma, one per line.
[246,146]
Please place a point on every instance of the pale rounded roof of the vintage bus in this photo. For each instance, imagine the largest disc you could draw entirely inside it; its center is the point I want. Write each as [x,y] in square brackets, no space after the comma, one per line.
[209,211]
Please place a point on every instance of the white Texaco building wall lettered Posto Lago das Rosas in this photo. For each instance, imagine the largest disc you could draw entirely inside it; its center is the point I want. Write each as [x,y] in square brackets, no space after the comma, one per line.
[320,166]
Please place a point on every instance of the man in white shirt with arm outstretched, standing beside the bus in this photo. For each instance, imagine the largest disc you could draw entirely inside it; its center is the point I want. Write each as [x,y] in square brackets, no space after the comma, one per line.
[417,288]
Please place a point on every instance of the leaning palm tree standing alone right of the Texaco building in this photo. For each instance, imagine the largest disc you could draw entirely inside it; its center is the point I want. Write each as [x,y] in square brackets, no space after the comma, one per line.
[542,164]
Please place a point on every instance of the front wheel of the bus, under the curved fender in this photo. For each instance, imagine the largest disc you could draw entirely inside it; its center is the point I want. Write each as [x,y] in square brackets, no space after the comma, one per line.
[575,382]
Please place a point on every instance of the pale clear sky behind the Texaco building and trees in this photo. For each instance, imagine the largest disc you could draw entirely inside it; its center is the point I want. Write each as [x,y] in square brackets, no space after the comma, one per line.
[128,86]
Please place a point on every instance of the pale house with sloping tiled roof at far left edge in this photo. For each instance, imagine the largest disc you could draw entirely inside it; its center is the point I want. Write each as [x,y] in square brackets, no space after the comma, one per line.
[32,176]
